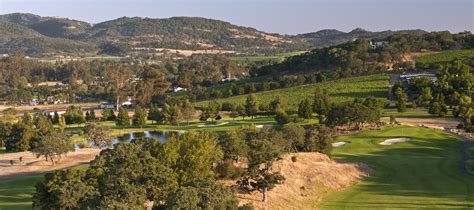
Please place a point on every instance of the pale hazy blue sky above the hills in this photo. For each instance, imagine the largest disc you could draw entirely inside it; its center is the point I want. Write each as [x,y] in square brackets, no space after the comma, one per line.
[276,16]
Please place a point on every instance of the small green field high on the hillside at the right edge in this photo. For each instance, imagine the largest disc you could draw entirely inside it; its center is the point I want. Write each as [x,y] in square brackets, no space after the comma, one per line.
[431,60]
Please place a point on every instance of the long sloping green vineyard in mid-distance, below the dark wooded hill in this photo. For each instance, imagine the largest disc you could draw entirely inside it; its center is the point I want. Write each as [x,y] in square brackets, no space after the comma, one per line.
[340,91]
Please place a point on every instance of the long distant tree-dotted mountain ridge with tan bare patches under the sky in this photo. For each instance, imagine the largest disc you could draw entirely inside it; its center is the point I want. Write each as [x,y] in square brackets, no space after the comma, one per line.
[37,35]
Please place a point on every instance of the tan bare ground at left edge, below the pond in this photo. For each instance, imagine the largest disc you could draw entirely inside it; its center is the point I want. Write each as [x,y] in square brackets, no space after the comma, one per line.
[32,165]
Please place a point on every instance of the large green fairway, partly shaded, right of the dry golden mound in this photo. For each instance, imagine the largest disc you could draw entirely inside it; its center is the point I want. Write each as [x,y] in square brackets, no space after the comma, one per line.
[421,174]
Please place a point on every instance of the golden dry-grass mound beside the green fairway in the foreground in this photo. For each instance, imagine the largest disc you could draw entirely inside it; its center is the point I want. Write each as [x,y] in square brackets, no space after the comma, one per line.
[307,180]
